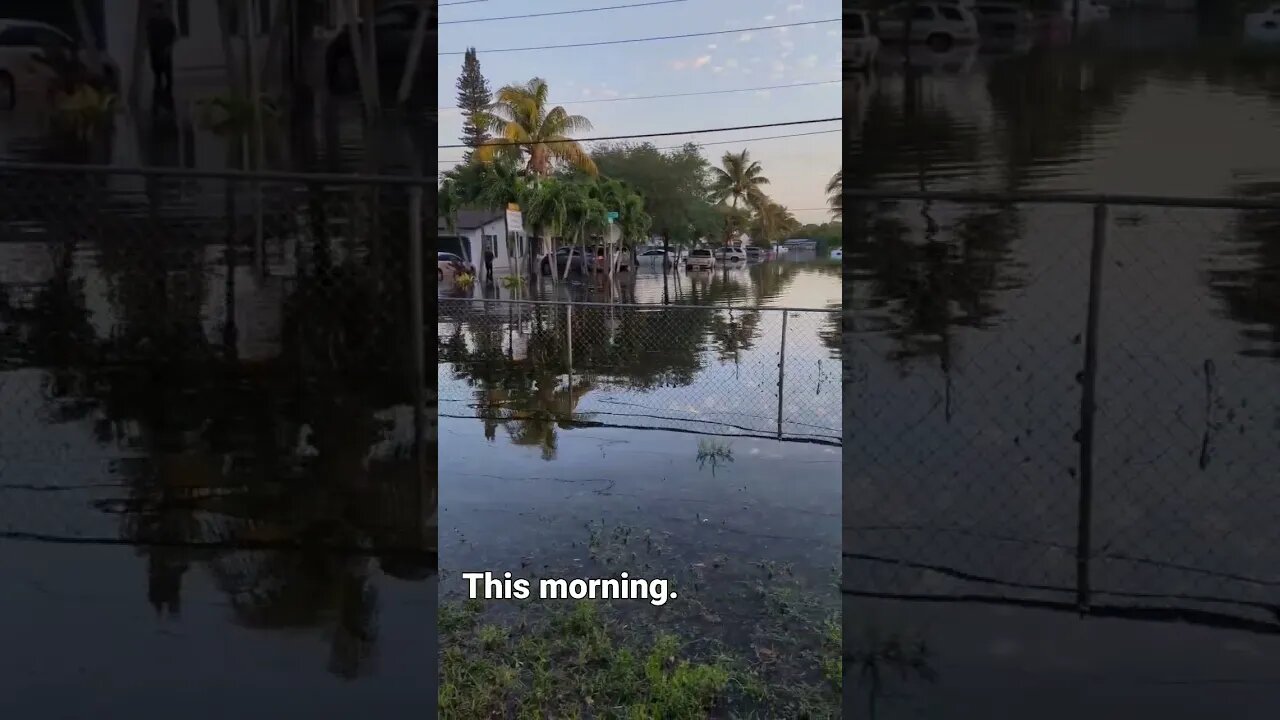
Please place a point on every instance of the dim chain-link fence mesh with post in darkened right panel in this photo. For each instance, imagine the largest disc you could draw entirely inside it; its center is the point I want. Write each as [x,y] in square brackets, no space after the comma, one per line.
[1064,403]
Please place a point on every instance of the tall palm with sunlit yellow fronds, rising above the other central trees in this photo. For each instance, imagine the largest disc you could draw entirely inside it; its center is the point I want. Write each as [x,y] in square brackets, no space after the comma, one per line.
[529,131]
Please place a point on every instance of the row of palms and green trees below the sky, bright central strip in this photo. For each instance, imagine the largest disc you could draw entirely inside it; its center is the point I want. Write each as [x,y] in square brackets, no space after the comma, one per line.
[523,151]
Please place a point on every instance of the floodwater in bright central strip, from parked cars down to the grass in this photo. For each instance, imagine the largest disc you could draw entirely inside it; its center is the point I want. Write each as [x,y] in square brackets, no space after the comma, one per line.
[604,439]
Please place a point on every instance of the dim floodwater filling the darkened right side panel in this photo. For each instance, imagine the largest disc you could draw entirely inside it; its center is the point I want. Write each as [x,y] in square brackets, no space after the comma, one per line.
[967,566]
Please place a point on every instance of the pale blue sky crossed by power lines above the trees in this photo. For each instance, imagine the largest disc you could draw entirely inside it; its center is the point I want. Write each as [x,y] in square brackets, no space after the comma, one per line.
[582,78]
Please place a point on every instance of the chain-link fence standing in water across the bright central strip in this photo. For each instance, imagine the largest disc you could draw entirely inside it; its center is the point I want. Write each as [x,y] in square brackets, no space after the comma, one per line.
[707,370]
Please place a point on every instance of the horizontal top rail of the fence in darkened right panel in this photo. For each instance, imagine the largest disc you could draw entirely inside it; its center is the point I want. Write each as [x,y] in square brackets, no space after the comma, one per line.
[1067,199]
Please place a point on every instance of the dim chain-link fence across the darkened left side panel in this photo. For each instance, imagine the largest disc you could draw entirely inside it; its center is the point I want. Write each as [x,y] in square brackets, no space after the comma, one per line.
[203,359]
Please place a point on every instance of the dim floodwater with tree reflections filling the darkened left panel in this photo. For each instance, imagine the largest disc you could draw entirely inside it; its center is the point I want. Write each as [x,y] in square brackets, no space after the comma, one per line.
[213,495]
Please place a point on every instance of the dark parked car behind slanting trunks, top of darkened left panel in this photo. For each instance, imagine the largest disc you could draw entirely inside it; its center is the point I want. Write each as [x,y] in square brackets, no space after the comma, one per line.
[394,35]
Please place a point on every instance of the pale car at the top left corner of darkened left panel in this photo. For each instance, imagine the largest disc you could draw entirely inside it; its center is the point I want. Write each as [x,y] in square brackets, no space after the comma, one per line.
[22,78]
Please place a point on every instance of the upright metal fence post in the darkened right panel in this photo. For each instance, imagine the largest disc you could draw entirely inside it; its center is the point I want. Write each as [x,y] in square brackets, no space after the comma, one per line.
[1089,382]
